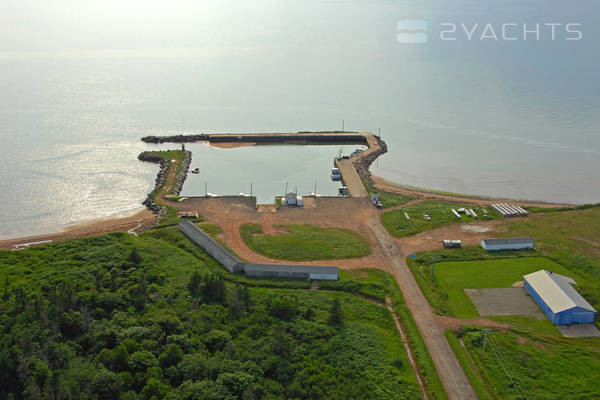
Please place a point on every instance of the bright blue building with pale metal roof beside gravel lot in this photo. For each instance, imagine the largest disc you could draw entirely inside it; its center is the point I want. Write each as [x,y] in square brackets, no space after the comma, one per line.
[558,298]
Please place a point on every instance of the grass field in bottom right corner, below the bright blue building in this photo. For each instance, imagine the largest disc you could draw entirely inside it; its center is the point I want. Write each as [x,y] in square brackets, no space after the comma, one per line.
[521,362]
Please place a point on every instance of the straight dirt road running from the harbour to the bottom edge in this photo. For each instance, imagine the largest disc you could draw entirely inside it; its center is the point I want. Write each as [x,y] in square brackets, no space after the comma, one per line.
[451,374]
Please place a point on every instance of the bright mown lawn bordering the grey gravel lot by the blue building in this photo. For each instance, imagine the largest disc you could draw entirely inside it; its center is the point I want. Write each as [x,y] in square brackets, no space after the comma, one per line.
[453,277]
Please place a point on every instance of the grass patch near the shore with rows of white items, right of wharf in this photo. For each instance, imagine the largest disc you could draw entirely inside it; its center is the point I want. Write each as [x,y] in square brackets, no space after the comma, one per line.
[440,212]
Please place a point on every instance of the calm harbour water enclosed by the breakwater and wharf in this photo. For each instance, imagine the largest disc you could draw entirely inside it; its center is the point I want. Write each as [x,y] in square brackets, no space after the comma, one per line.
[263,171]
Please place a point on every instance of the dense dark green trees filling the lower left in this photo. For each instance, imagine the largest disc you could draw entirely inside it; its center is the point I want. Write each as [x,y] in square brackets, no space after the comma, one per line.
[102,321]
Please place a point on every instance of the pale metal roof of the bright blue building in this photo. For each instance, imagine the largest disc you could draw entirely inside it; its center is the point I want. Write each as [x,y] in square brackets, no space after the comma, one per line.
[556,291]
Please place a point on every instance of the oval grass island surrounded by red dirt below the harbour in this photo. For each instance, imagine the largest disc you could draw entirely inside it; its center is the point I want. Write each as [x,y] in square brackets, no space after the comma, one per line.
[305,242]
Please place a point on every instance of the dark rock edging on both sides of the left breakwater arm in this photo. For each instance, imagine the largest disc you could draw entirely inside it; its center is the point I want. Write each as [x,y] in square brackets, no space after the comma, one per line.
[161,178]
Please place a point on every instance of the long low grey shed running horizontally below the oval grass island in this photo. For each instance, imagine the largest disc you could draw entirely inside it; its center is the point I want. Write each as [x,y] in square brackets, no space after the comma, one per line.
[292,271]
